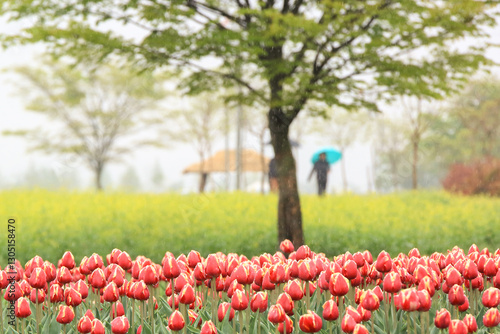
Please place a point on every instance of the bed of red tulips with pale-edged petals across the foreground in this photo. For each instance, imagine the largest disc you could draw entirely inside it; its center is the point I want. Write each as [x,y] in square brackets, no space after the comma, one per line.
[289,292]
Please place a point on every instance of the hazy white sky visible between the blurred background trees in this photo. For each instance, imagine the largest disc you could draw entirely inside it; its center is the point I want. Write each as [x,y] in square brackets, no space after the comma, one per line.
[15,159]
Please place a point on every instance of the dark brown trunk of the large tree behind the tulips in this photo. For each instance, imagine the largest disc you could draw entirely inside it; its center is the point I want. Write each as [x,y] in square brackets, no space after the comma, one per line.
[289,212]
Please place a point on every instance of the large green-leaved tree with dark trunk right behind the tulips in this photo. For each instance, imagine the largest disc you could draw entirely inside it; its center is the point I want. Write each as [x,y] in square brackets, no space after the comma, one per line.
[282,53]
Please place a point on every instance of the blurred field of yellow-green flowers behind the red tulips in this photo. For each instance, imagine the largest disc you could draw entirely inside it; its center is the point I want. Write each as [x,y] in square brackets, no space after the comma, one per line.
[49,223]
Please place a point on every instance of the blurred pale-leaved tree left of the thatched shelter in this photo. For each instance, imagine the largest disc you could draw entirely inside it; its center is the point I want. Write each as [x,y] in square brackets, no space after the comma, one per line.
[97,114]
